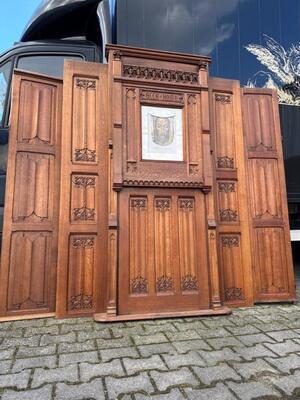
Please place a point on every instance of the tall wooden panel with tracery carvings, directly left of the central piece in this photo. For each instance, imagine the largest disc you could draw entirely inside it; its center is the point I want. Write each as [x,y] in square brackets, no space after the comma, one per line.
[83,220]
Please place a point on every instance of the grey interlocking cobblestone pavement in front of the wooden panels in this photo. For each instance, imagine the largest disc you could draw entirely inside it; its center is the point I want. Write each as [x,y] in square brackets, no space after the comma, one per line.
[252,354]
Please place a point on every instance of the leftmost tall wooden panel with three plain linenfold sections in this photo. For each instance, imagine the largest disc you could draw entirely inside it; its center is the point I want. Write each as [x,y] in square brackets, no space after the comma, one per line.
[29,247]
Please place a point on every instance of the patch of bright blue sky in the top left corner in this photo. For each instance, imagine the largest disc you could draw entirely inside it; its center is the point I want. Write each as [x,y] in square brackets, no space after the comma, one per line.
[14,15]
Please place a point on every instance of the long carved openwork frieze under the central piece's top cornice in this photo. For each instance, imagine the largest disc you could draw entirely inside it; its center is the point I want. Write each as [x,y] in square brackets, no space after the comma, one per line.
[138,72]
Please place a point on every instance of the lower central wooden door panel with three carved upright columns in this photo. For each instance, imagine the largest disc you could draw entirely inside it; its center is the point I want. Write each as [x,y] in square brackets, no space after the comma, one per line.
[163,256]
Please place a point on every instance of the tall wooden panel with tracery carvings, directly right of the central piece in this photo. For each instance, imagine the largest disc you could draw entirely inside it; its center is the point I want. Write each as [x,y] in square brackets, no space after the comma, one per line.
[235,261]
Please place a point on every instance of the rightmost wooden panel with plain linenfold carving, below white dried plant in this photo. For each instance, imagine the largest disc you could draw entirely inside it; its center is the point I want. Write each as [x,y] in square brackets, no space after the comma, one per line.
[271,248]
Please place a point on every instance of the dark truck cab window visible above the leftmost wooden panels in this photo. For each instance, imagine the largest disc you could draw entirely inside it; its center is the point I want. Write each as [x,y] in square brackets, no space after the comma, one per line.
[52,65]
